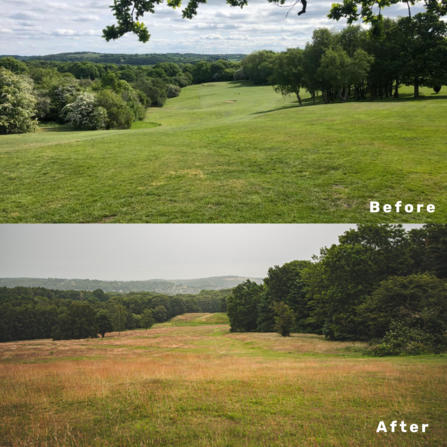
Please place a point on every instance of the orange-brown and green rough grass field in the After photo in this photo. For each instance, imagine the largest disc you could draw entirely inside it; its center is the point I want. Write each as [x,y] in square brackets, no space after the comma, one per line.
[203,386]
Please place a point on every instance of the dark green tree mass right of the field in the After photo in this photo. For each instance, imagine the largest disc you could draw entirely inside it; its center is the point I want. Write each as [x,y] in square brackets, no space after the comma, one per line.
[379,282]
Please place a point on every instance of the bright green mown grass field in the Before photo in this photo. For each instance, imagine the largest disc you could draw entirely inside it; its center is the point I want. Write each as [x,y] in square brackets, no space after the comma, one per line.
[227,152]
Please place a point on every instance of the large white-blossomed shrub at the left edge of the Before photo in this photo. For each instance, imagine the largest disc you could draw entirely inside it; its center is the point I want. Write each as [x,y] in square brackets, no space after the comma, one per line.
[17,103]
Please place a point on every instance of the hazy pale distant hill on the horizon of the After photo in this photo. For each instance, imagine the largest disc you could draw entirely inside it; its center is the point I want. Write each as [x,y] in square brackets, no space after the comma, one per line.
[169,287]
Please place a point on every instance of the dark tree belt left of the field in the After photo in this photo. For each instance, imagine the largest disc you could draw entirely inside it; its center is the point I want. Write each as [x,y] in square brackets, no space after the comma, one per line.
[28,313]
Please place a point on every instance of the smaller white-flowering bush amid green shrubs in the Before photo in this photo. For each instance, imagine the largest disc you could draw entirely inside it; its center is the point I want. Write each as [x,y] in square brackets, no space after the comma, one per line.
[83,113]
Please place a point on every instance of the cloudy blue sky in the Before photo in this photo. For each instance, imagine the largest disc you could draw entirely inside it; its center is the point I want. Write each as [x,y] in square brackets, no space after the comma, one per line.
[30,27]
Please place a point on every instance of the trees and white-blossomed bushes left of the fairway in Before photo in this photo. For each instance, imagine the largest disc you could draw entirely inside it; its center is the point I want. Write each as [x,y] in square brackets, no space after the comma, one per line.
[91,96]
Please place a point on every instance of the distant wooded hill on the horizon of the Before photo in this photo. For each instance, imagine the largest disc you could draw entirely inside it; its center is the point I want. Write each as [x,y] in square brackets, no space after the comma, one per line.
[130,59]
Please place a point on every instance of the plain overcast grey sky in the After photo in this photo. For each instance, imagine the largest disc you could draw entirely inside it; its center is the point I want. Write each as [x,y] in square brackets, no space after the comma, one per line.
[141,252]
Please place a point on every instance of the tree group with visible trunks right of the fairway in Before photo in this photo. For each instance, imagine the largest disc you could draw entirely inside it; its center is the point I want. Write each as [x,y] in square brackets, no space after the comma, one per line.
[355,62]
